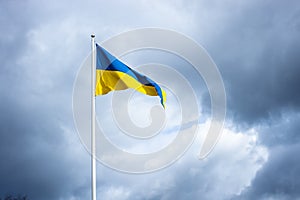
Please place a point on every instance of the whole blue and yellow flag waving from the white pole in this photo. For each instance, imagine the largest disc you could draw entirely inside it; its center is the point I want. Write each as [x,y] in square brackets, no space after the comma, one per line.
[112,74]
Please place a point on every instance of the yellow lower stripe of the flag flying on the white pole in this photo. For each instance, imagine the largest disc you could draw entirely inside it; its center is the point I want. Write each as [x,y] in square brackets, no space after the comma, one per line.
[107,81]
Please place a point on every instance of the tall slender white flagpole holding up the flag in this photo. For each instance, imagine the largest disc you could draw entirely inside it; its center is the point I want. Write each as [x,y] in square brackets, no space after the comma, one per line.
[93,136]
